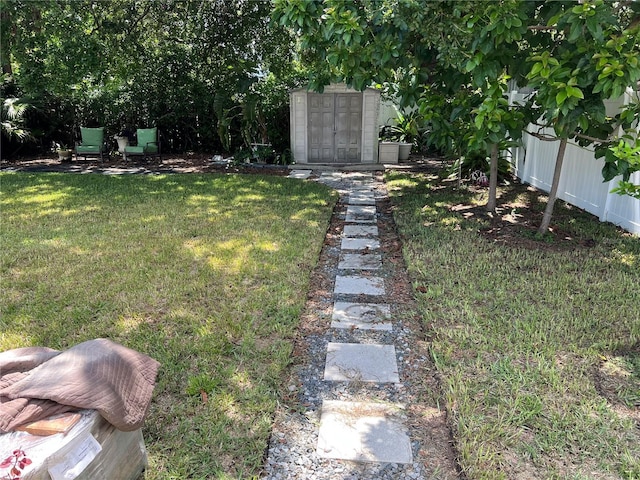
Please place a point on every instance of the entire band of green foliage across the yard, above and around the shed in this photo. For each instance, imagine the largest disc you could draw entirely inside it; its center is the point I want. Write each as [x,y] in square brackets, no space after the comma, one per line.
[214,74]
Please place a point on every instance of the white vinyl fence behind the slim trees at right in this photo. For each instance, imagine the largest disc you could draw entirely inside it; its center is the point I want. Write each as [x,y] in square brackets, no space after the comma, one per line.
[581,182]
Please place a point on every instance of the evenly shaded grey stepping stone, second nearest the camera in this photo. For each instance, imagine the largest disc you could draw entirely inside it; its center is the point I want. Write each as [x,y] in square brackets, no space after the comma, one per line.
[357,362]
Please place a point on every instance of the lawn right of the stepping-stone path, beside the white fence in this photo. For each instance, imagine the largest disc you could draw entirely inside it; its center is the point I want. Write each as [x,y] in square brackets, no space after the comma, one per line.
[538,348]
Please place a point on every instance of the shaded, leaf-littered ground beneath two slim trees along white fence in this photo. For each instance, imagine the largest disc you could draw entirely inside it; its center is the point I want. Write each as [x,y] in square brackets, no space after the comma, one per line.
[517,217]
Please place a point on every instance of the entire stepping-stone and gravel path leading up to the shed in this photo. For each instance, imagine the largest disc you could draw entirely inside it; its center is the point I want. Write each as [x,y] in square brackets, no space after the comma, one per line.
[369,431]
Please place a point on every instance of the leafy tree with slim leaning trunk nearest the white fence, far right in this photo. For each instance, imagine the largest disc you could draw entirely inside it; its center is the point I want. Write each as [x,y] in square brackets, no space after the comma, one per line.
[581,55]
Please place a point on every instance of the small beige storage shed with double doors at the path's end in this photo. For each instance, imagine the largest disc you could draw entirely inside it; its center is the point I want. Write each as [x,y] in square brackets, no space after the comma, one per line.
[338,126]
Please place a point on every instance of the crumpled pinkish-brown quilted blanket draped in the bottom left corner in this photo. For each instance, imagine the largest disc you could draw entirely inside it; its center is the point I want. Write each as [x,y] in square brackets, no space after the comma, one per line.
[37,382]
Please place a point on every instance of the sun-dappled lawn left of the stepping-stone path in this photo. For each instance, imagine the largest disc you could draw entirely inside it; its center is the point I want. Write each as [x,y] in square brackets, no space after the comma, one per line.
[205,273]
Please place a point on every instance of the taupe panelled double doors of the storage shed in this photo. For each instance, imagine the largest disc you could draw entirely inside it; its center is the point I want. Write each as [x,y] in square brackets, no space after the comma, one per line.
[335,127]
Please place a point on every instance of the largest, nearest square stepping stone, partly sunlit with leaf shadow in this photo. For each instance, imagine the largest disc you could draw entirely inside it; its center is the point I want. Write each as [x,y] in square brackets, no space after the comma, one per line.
[363,432]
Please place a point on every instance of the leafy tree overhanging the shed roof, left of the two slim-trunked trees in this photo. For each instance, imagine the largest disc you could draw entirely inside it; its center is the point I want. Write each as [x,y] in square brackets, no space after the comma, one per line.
[409,44]
